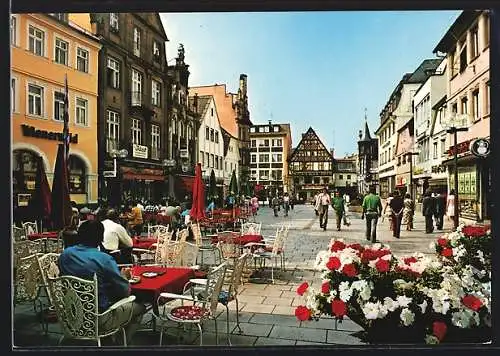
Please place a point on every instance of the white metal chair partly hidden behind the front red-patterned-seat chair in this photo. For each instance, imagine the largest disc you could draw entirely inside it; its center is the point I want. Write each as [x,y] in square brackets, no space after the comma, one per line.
[230,289]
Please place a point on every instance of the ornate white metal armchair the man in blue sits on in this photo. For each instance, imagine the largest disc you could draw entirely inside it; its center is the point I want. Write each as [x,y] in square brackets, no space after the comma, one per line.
[76,305]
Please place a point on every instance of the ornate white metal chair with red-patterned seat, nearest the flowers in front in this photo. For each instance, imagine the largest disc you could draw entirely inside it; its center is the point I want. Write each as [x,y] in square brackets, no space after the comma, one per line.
[203,305]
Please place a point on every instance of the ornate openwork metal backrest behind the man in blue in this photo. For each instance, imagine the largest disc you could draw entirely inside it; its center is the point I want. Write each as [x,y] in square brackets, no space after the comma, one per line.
[76,304]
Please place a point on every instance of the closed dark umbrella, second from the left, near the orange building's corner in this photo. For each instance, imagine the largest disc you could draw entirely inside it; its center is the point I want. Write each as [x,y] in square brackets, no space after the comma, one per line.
[61,203]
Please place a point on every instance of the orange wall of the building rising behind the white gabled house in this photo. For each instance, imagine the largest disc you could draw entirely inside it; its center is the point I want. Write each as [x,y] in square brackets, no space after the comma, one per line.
[224,104]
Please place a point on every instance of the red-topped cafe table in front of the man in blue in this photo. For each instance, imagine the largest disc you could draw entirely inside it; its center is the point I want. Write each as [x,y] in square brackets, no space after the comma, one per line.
[172,280]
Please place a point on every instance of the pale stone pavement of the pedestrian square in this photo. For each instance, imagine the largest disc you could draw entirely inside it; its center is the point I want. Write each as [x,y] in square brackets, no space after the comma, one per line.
[267,310]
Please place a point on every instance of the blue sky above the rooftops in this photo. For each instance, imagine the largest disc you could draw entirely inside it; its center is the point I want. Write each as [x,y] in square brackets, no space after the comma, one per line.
[318,69]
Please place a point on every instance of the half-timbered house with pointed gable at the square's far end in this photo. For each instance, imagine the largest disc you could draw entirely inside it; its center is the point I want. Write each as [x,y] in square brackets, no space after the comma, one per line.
[311,167]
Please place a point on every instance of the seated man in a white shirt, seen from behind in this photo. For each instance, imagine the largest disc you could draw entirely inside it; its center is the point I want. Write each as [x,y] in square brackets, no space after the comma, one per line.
[117,238]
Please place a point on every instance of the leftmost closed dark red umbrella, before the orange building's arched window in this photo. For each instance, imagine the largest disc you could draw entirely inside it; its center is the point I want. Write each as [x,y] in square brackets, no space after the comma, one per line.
[41,203]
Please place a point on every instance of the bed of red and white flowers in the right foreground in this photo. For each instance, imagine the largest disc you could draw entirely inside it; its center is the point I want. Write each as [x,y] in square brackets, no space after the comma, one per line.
[442,298]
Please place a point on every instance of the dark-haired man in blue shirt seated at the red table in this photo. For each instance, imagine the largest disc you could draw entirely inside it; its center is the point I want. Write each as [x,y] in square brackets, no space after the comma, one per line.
[84,259]
